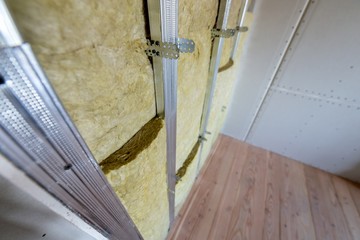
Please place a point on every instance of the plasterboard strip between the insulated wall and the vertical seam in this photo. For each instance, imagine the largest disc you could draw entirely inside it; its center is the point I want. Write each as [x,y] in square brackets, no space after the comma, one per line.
[272,25]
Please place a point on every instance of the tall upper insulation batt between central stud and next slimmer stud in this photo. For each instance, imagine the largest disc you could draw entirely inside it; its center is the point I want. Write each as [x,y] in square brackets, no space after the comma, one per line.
[196,19]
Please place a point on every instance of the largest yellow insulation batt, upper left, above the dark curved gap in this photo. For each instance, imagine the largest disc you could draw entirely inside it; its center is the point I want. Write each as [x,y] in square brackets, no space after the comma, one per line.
[93,54]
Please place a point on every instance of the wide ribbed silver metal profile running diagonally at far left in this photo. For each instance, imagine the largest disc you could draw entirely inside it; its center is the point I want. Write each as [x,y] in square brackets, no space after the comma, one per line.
[38,137]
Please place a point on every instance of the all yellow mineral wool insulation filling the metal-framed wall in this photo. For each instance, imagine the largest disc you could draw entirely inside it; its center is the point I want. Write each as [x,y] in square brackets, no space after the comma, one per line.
[93,54]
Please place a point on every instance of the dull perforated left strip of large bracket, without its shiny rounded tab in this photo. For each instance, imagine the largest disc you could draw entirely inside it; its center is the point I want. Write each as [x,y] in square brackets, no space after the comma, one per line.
[162,49]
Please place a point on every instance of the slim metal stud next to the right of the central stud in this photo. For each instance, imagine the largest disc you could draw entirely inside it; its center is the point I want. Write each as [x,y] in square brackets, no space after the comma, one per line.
[223,15]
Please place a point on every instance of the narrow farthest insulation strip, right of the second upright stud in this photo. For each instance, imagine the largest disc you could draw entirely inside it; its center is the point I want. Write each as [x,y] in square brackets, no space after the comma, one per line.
[223,92]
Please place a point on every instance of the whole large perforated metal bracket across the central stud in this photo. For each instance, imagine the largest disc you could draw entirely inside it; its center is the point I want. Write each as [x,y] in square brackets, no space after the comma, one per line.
[169,50]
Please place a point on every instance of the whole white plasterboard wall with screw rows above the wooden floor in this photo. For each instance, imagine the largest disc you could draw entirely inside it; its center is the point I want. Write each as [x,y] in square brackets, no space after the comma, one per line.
[312,110]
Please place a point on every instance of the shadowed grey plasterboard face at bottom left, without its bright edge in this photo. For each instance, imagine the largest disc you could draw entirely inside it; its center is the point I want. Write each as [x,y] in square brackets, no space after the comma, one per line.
[23,217]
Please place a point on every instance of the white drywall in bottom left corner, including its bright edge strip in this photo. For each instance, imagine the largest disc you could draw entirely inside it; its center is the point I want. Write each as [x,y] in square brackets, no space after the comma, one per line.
[29,212]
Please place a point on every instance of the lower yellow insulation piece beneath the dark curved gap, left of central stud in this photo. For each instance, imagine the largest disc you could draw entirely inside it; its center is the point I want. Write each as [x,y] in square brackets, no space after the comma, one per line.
[142,188]
